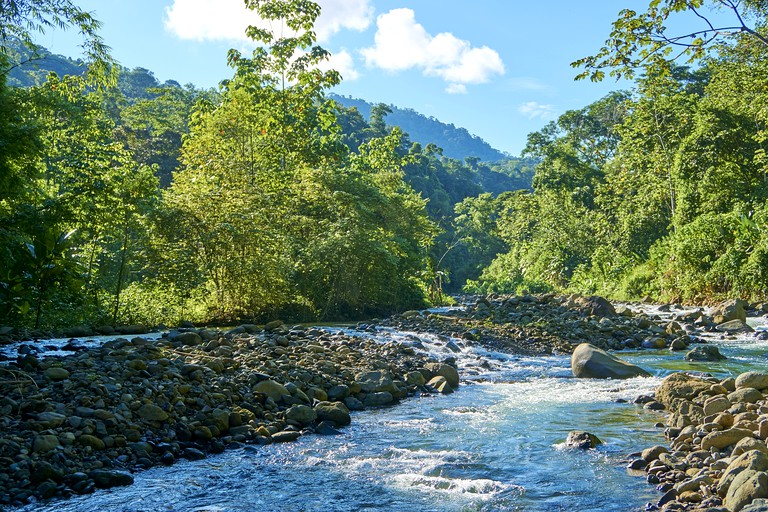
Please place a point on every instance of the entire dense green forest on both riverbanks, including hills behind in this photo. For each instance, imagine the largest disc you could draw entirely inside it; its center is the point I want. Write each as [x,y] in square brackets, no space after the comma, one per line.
[126,200]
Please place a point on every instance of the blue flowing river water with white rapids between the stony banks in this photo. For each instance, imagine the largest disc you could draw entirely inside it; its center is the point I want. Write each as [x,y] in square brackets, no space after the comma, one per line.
[496,445]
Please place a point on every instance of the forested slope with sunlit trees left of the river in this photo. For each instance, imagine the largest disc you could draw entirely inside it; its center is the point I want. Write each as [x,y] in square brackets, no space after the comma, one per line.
[127,200]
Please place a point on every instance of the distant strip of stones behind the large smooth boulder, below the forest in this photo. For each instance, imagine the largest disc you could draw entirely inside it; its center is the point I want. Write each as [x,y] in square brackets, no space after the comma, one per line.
[551,324]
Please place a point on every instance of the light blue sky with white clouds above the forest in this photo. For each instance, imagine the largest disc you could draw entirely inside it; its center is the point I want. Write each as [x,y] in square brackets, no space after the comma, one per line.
[499,68]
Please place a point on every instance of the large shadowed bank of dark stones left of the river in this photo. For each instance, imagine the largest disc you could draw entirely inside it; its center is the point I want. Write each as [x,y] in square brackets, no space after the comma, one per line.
[71,425]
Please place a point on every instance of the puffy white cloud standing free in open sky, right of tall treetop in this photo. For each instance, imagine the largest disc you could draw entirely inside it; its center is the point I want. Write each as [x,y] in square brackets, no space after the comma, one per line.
[401,43]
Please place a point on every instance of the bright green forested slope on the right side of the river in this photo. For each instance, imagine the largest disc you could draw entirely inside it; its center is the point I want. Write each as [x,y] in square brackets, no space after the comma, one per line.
[658,191]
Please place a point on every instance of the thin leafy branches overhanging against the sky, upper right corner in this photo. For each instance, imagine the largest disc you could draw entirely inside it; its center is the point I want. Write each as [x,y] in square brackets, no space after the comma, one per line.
[642,39]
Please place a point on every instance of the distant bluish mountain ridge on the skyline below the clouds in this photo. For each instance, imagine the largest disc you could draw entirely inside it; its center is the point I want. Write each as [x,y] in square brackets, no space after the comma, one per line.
[456,142]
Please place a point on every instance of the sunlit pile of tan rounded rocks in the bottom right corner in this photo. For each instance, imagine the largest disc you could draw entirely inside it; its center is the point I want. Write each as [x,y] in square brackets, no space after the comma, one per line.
[717,459]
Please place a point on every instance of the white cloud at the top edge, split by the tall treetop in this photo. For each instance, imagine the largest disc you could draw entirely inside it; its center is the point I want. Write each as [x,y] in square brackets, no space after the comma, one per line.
[226,20]
